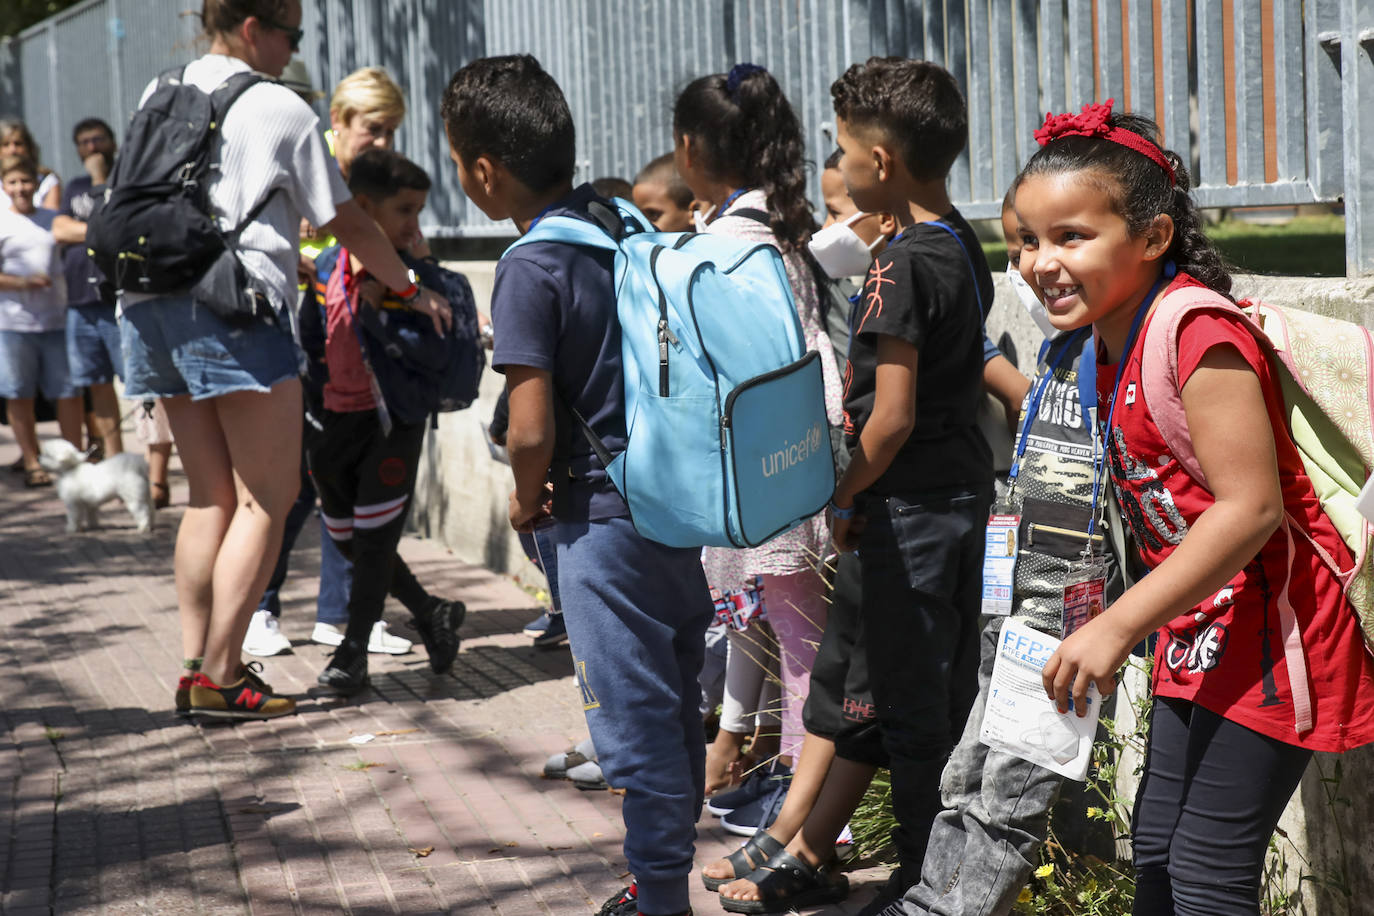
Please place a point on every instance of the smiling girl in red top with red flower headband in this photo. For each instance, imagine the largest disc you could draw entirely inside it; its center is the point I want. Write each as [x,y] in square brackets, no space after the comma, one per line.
[1110,233]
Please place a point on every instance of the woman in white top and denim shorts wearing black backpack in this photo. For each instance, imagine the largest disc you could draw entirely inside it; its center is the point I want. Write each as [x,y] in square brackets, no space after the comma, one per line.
[229,373]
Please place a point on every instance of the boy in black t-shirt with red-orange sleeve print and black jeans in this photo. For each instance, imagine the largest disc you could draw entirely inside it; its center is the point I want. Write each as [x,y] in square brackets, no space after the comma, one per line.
[916,496]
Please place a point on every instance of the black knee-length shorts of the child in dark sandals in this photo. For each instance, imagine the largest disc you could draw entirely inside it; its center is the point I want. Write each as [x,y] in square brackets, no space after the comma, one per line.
[840,707]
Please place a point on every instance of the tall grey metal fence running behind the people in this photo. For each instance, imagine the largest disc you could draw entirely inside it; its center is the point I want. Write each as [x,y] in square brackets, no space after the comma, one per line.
[1272,101]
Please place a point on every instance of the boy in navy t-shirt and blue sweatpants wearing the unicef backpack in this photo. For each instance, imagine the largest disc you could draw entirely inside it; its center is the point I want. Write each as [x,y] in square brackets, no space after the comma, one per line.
[637,610]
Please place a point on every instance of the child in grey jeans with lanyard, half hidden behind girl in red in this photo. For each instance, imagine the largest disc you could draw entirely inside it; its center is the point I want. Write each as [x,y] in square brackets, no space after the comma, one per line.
[997,805]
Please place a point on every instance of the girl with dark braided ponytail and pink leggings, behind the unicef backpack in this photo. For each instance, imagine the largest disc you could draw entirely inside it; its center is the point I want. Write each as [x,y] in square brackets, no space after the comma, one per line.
[739,148]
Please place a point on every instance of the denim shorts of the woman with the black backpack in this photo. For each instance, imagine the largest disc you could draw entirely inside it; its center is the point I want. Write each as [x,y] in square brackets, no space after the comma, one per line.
[172,347]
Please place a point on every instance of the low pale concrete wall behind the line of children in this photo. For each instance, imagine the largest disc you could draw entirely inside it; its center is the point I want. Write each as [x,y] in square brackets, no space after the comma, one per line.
[462,499]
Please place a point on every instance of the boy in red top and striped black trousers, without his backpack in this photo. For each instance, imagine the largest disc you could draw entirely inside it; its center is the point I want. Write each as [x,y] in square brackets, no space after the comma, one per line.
[363,472]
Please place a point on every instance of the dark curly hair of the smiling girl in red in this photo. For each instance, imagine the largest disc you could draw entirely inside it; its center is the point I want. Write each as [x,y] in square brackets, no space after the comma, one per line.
[1140,192]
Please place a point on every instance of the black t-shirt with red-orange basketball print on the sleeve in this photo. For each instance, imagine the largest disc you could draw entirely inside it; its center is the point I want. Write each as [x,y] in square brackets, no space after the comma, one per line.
[931,290]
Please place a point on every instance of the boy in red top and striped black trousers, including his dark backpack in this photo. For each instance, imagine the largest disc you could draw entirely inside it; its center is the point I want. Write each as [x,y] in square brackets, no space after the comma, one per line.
[390,370]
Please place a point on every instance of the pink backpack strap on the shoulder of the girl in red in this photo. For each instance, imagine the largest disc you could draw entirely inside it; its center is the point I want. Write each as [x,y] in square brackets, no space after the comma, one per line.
[1160,366]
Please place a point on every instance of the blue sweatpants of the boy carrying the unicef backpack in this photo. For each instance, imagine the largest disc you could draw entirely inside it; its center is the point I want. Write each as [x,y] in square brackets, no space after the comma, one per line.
[637,620]
